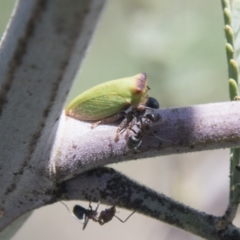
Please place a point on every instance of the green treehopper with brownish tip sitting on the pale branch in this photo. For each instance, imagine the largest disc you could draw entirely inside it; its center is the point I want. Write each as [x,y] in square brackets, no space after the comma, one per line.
[109,101]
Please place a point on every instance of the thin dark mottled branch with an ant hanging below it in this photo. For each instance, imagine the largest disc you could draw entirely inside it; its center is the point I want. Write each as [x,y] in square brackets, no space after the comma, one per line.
[113,188]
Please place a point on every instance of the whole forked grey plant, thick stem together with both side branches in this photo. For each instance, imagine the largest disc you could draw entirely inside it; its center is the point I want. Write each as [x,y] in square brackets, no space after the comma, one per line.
[40,54]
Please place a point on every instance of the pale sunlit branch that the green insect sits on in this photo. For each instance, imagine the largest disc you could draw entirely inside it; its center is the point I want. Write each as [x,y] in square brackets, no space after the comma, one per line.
[211,126]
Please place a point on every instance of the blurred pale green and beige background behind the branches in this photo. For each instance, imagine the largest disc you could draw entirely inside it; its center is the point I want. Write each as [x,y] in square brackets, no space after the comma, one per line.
[180,45]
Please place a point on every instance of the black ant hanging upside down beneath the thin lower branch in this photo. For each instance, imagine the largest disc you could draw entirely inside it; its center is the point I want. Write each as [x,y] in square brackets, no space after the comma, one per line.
[103,217]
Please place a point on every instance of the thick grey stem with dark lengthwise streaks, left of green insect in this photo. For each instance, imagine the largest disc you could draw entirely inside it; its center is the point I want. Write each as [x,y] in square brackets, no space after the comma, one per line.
[40,55]
